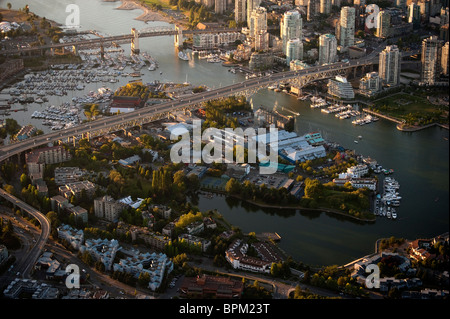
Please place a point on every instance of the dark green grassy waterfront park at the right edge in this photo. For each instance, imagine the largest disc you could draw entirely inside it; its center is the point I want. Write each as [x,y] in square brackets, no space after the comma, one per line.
[411,108]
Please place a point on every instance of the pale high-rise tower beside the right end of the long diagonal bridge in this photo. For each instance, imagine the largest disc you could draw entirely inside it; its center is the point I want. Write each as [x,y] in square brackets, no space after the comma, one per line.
[389,65]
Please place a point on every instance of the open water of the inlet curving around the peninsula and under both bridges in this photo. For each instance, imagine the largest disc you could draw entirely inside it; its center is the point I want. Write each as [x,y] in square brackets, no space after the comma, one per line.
[420,159]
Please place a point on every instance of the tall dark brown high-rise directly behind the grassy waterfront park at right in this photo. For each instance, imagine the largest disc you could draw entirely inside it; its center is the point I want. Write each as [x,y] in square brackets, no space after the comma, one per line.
[431,60]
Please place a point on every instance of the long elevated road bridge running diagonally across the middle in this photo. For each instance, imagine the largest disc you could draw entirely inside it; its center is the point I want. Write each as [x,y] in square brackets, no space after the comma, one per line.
[139,117]
